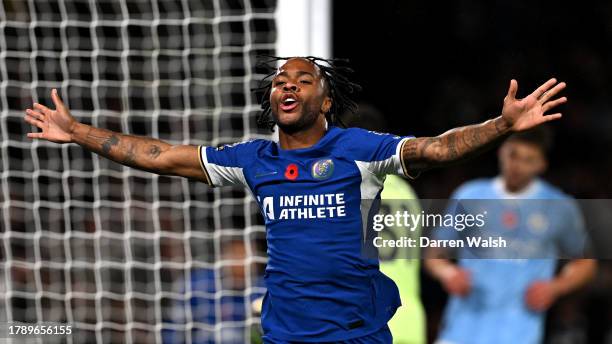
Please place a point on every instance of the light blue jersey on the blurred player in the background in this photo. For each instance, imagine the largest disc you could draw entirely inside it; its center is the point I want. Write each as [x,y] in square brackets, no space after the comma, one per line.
[495,310]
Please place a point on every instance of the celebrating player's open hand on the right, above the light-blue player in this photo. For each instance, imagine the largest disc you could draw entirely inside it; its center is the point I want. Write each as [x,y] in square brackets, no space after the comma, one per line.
[526,113]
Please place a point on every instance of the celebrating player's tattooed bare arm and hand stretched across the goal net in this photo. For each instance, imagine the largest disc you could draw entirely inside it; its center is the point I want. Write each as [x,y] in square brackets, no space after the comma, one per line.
[135,151]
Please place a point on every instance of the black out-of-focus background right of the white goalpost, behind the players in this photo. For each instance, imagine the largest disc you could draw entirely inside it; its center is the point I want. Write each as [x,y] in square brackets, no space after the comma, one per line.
[431,66]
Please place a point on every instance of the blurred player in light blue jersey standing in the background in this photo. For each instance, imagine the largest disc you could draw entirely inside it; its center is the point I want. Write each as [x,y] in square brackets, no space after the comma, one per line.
[504,300]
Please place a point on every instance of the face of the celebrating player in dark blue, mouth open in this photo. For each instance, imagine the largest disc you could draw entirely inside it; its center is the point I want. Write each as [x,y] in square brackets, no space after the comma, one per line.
[298,96]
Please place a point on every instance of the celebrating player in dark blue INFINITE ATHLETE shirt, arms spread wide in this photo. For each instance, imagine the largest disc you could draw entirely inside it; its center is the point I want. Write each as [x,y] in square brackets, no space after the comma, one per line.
[310,186]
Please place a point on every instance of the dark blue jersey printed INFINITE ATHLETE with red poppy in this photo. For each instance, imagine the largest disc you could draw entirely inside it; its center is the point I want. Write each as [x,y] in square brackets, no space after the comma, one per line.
[320,287]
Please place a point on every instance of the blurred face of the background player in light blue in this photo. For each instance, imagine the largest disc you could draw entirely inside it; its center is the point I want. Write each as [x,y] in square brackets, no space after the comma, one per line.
[520,163]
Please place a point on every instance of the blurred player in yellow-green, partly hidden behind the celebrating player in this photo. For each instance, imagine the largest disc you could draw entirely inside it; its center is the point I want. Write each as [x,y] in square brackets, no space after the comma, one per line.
[408,325]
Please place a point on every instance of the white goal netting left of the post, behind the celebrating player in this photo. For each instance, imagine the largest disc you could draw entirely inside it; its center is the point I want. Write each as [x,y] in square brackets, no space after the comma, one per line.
[121,255]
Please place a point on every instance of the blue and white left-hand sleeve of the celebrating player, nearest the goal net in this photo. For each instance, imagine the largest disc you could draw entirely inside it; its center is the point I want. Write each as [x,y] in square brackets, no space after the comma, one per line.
[223,166]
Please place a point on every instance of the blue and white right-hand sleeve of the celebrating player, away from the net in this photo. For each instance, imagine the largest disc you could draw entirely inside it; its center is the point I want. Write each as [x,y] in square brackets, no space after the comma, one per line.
[384,152]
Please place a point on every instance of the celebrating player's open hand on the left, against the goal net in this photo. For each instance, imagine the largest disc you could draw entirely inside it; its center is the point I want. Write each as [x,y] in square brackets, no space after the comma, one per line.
[56,125]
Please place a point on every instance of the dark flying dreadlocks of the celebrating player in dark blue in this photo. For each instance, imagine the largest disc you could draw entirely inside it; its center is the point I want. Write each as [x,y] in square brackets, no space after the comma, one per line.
[341,90]
